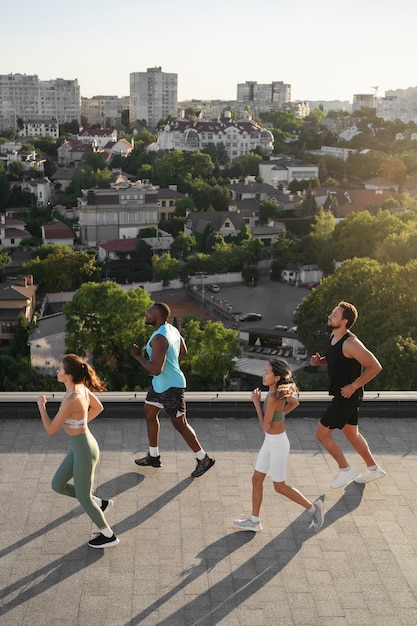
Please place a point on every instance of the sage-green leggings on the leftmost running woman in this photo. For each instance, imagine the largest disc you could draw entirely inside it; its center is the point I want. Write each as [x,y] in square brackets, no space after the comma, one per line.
[80,464]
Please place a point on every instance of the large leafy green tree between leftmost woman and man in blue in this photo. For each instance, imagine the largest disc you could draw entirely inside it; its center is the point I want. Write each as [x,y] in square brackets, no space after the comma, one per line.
[105,320]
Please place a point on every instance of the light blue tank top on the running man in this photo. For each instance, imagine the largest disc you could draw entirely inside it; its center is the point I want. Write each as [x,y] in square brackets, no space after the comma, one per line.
[171,375]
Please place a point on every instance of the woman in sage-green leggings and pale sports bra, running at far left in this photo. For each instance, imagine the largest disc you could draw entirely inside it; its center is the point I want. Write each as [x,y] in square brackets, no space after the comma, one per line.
[79,406]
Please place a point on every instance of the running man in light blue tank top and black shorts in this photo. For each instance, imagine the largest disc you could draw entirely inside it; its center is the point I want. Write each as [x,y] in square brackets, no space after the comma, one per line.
[165,349]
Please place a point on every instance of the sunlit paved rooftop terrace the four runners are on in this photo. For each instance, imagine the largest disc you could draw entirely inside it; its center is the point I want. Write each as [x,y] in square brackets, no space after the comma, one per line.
[179,562]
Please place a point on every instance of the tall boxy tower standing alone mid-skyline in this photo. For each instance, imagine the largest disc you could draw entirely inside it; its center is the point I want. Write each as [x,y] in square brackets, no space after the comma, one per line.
[153,95]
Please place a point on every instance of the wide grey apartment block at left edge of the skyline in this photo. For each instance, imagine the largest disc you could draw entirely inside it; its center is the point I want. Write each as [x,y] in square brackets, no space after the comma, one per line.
[27,97]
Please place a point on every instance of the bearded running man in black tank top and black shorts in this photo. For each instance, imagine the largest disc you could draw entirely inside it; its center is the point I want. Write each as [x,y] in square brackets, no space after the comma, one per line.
[351,365]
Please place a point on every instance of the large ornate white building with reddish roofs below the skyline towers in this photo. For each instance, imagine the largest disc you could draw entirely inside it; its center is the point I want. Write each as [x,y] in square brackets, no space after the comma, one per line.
[238,137]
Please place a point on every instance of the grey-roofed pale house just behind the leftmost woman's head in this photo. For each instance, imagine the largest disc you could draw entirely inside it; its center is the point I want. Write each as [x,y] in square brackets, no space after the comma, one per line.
[47,343]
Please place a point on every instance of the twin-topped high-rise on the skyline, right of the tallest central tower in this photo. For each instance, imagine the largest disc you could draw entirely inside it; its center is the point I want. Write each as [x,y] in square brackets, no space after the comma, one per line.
[263,97]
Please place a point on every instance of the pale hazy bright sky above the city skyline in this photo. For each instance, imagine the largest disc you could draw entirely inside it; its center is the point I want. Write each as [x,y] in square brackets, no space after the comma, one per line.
[324,50]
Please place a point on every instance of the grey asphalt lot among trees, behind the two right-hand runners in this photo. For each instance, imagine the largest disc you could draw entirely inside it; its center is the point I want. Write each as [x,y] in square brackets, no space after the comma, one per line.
[275,301]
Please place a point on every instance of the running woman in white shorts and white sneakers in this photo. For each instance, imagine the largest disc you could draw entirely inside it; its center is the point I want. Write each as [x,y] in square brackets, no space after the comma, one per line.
[273,455]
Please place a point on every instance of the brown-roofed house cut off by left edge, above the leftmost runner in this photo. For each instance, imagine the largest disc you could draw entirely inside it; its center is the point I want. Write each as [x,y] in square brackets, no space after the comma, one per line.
[17,295]
